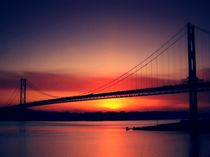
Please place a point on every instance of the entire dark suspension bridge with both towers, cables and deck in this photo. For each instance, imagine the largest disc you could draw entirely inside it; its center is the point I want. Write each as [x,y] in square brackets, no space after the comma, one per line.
[175,67]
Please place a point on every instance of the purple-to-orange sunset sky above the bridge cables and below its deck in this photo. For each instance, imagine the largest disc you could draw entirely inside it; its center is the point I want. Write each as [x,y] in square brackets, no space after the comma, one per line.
[70,47]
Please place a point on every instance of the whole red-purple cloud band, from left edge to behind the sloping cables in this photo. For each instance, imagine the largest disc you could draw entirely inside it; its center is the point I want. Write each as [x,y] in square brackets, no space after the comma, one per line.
[75,82]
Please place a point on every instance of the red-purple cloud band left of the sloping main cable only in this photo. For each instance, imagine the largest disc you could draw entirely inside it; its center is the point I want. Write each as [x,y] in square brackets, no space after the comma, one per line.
[52,81]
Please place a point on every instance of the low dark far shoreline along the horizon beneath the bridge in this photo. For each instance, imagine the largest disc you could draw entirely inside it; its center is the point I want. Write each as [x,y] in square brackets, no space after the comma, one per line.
[17,113]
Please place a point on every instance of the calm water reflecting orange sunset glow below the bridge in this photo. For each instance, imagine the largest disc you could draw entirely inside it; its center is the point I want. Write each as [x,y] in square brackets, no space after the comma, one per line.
[97,139]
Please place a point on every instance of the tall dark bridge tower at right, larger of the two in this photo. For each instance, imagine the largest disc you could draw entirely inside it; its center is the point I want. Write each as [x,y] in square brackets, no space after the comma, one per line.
[192,78]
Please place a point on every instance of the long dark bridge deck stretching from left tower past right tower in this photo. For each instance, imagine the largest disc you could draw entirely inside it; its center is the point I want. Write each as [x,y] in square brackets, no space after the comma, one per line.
[172,89]
